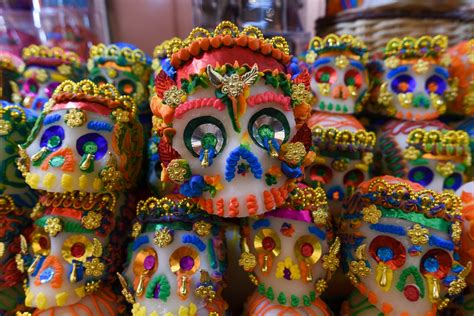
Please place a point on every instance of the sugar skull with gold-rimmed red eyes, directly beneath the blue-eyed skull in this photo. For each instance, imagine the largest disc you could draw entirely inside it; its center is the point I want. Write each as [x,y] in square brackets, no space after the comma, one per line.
[66,257]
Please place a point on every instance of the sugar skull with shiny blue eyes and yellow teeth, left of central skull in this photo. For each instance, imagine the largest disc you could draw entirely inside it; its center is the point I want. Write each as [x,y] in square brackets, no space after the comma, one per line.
[87,138]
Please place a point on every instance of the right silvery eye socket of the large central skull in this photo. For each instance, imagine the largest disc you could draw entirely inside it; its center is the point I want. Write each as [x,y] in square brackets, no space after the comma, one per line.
[268,124]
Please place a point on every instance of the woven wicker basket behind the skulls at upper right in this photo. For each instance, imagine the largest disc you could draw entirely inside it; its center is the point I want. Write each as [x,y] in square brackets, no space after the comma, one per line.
[376,28]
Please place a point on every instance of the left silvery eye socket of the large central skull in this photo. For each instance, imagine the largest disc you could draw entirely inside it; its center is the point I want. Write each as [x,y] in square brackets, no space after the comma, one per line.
[204,133]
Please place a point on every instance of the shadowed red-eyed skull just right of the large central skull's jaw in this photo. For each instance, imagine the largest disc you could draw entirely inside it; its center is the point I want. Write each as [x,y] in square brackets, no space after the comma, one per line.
[343,154]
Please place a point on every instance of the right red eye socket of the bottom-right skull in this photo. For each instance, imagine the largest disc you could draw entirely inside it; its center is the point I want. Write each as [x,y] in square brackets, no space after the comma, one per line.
[436,262]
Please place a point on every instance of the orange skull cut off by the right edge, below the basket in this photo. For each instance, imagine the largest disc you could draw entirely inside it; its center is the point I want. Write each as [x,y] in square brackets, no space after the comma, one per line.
[462,70]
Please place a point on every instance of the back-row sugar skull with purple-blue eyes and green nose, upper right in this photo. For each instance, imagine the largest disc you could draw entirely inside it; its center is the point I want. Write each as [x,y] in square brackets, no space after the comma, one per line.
[413,81]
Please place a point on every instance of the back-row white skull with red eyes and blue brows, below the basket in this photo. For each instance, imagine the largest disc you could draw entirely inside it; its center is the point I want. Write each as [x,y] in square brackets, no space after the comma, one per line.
[339,79]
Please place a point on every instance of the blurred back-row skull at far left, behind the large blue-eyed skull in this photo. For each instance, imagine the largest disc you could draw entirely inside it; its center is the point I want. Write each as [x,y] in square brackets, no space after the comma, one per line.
[45,69]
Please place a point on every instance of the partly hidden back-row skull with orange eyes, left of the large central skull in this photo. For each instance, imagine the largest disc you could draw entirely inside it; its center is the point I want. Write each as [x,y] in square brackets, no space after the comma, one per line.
[125,67]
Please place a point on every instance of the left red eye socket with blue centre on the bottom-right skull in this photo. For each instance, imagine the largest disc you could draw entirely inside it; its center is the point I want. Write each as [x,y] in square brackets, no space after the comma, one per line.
[387,250]
